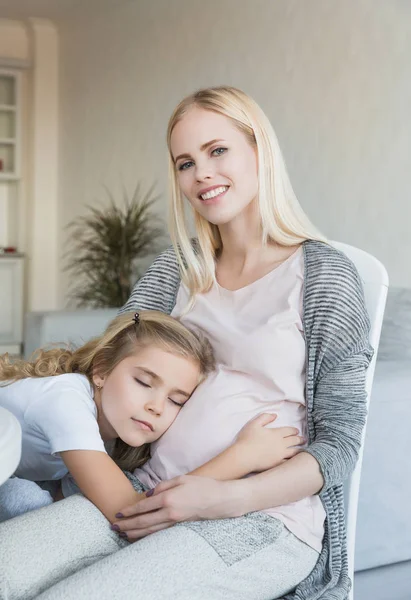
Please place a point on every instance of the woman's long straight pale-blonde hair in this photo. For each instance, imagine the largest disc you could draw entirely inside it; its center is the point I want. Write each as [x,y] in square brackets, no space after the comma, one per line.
[282,219]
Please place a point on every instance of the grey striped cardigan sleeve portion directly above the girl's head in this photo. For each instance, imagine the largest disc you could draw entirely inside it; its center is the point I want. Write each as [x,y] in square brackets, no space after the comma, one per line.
[157,288]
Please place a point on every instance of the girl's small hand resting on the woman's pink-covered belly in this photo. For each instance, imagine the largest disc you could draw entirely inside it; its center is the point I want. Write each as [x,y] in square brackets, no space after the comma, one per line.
[264,448]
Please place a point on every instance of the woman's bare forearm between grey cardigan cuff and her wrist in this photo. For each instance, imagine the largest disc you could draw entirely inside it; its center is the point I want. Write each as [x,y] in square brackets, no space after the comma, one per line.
[291,481]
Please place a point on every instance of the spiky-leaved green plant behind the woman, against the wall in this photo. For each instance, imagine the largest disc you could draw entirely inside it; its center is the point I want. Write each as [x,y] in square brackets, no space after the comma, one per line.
[106,247]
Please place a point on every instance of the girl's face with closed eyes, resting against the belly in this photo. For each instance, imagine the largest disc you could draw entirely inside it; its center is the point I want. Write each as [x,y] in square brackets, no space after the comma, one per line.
[143,395]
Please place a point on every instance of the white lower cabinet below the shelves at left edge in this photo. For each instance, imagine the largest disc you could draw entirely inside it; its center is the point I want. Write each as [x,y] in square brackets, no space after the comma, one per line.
[11,303]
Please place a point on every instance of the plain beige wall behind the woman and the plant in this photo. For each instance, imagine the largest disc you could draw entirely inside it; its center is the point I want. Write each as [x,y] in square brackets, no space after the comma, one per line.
[334,77]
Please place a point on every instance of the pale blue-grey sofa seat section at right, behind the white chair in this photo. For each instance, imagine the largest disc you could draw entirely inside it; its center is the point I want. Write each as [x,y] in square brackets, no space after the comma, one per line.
[384,518]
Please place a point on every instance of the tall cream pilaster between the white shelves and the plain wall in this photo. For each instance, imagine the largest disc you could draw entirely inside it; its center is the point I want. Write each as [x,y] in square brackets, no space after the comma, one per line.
[44,205]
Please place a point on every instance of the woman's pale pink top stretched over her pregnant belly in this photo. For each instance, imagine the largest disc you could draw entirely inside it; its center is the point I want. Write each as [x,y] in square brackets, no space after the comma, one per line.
[257,336]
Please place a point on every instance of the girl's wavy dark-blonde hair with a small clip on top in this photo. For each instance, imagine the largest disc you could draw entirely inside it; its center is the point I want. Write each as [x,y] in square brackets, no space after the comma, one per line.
[102,354]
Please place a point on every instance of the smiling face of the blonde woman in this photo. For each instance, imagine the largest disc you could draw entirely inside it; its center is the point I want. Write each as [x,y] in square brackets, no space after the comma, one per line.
[216,165]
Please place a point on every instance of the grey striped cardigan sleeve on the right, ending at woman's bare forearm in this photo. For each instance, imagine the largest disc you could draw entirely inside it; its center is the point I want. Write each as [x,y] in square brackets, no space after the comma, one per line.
[340,355]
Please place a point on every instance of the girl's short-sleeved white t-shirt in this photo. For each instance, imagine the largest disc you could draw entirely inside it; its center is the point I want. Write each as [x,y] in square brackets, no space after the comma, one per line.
[56,414]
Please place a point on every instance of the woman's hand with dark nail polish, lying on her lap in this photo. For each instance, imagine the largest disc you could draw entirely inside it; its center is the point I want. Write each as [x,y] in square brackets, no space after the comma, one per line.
[185,498]
